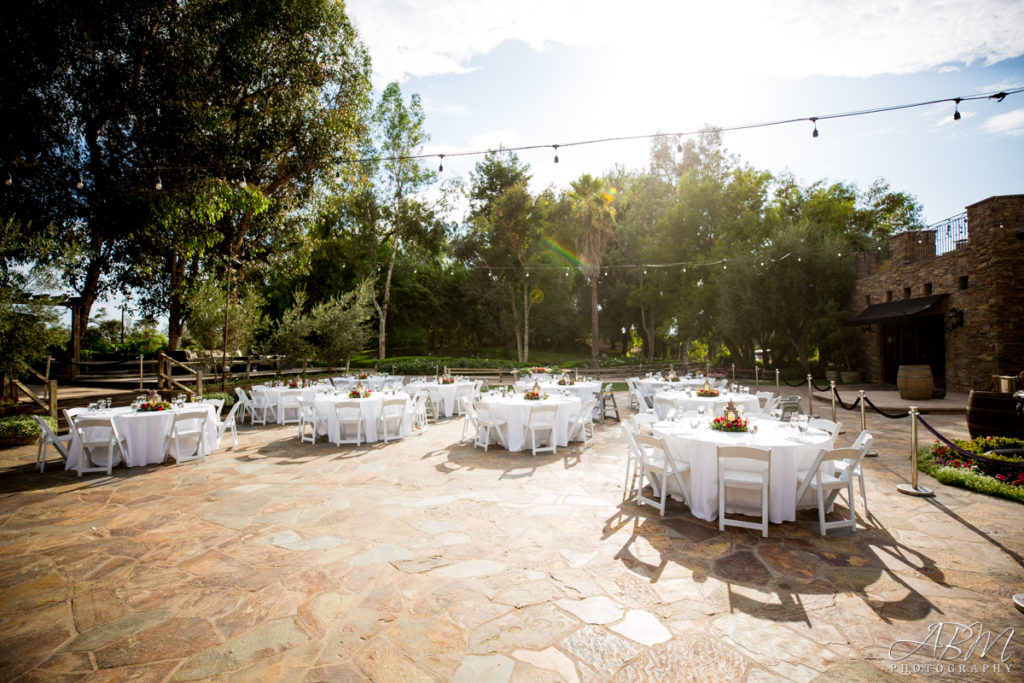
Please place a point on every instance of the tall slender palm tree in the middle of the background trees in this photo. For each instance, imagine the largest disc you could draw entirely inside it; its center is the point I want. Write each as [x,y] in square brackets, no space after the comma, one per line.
[592,207]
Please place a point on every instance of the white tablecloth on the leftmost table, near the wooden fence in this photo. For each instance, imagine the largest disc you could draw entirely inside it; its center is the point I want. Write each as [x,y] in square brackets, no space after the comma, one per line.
[145,434]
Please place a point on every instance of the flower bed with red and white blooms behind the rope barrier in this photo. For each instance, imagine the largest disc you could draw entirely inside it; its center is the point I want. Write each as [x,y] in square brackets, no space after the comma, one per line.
[991,477]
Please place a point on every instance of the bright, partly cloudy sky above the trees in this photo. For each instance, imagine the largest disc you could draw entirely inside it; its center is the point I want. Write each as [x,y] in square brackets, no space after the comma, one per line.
[556,72]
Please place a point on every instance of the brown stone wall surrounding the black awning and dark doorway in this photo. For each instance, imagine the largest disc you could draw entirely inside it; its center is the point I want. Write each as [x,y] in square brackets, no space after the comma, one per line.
[985,278]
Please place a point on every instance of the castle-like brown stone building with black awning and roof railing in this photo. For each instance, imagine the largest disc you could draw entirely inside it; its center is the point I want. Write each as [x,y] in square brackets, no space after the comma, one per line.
[951,297]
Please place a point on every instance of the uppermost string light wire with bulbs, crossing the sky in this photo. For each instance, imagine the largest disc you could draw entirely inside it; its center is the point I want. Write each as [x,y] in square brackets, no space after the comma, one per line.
[957,102]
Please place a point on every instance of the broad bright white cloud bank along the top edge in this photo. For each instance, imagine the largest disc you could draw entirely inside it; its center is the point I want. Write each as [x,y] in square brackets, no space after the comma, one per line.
[792,40]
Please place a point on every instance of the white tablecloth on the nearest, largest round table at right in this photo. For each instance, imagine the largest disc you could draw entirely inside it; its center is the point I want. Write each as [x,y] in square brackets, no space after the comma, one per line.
[790,452]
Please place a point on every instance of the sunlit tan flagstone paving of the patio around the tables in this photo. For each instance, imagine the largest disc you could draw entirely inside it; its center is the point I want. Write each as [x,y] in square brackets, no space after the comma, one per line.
[426,560]
